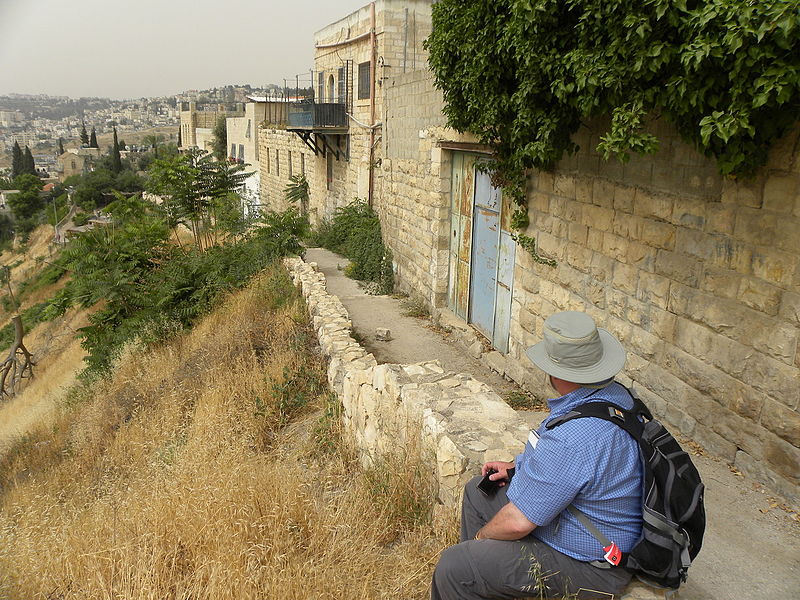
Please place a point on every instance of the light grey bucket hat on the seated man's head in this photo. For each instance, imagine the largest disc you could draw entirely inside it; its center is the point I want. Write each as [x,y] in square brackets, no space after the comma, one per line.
[575,349]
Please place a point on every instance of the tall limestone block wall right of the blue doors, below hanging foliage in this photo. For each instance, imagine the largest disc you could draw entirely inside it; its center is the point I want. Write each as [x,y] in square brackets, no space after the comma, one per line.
[698,276]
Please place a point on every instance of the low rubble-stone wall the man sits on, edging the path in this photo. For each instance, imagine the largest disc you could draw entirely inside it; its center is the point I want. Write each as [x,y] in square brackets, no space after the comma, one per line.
[460,420]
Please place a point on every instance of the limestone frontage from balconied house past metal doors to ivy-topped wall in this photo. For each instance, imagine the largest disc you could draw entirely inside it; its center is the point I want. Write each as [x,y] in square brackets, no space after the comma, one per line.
[697,274]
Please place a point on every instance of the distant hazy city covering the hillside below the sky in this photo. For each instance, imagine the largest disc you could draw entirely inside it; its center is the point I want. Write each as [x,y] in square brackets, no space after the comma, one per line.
[38,121]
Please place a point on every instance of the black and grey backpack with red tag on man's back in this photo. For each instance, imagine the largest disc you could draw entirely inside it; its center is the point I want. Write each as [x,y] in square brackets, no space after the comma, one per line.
[673,515]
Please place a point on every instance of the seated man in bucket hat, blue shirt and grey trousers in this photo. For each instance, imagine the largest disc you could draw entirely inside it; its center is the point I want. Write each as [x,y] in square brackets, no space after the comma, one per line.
[523,541]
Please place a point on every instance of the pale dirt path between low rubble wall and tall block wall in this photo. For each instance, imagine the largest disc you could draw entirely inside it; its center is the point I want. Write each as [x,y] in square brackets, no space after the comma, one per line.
[751,548]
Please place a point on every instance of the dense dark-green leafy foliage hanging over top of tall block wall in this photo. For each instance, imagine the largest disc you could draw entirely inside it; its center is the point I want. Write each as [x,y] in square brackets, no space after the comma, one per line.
[523,75]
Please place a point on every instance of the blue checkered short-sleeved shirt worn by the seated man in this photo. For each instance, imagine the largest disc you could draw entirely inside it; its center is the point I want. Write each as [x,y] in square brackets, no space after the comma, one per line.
[588,462]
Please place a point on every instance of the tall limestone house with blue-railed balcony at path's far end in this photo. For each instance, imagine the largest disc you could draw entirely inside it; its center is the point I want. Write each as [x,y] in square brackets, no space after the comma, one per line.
[334,138]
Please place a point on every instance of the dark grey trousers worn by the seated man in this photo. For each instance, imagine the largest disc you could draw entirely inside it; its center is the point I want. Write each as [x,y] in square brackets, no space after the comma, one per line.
[526,568]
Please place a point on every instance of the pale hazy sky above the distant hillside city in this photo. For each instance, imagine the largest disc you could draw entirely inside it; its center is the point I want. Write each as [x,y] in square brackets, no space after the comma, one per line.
[135,48]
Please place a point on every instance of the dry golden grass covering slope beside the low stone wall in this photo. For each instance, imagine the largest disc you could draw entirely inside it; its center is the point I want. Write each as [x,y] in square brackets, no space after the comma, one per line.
[212,467]
